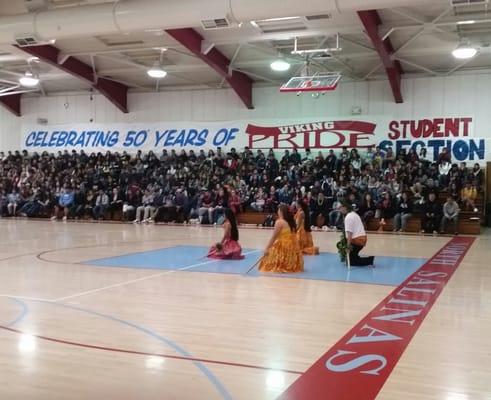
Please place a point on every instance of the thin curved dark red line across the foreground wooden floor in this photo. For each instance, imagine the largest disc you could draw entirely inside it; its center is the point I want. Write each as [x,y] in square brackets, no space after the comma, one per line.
[142,353]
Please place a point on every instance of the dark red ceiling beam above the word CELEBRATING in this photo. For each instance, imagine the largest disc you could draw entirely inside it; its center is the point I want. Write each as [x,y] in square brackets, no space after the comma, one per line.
[115,92]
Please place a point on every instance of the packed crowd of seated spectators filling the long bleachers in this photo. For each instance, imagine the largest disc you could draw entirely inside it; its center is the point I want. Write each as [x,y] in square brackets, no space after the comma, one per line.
[404,191]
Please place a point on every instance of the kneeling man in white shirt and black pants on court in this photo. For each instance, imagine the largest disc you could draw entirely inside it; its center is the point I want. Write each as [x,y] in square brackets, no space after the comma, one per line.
[356,237]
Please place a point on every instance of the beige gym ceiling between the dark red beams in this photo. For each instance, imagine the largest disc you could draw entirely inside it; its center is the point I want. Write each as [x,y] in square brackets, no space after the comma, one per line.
[422,47]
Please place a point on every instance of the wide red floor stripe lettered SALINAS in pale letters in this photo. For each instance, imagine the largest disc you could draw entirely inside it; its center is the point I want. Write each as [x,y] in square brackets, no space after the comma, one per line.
[358,365]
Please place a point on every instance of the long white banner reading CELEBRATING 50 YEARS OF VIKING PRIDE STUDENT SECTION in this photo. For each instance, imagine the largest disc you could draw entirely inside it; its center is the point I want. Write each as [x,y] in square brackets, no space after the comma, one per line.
[456,134]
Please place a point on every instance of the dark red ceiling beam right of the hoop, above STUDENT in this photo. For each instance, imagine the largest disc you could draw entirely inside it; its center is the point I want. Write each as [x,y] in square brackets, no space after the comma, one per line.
[371,21]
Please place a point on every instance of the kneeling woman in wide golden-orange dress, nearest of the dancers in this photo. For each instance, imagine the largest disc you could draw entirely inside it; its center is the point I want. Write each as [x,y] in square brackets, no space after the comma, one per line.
[283,254]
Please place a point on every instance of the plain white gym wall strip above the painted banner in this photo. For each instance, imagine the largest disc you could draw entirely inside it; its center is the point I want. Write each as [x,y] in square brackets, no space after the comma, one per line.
[457,95]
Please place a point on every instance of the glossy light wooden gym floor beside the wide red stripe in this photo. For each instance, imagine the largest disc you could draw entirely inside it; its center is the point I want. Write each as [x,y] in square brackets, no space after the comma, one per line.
[70,330]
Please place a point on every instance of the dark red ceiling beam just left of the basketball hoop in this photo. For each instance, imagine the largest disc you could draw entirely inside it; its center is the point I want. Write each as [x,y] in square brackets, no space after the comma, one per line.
[238,81]
